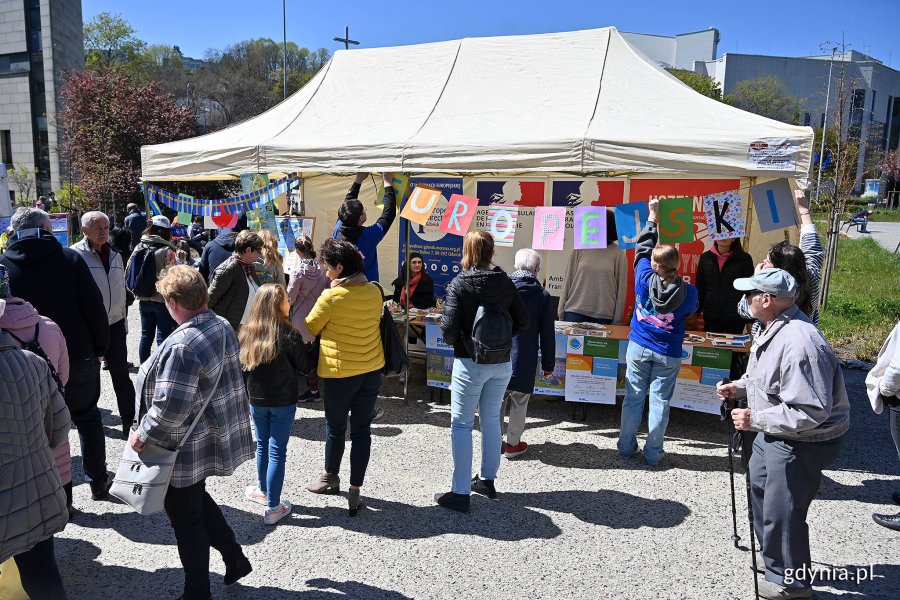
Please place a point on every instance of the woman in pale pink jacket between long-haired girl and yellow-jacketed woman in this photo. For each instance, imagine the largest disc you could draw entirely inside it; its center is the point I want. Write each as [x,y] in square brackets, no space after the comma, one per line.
[307,282]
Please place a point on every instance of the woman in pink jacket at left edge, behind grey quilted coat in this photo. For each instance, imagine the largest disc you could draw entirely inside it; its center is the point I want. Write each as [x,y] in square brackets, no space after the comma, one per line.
[22,321]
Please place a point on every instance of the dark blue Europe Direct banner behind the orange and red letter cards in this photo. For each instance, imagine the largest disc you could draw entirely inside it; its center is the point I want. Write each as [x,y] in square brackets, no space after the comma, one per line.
[442,251]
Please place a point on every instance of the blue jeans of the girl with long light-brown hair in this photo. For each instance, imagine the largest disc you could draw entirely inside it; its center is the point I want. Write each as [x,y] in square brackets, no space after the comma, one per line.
[273,430]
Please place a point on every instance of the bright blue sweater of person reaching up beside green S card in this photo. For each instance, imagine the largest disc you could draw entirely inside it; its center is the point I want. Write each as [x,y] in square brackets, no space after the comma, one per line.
[660,332]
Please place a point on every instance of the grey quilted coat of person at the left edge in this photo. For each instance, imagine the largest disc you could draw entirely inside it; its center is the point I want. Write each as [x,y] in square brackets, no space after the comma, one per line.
[32,413]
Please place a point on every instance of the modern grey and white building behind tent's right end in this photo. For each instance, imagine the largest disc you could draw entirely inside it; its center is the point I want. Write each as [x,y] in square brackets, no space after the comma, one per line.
[872,113]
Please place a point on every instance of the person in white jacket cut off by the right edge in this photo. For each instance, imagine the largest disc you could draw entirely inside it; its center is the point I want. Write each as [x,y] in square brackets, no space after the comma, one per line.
[883,388]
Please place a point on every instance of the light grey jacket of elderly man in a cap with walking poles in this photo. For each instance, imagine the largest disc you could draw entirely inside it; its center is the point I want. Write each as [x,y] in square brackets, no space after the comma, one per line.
[793,384]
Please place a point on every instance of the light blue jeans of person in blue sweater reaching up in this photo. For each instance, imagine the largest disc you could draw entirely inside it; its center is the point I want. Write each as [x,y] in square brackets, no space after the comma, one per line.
[647,369]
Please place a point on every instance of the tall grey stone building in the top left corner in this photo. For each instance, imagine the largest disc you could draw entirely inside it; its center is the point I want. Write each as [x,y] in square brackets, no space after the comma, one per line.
[39,41]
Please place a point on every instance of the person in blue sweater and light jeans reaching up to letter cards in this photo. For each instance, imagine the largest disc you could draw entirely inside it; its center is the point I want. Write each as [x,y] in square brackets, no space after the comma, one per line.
[663,302]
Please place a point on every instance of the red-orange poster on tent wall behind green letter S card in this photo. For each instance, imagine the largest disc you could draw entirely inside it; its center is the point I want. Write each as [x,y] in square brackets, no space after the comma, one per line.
[642,190]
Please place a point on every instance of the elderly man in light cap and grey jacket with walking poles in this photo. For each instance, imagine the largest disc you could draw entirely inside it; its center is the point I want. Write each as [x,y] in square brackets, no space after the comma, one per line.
[798,404]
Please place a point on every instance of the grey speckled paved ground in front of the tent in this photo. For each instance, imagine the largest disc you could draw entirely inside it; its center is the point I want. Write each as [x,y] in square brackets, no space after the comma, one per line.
[573,520]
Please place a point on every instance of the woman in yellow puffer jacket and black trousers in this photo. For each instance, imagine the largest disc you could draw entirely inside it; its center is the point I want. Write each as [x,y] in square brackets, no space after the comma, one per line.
[347,315]
